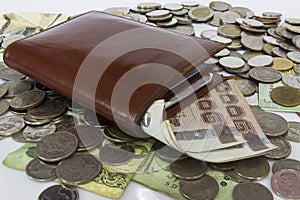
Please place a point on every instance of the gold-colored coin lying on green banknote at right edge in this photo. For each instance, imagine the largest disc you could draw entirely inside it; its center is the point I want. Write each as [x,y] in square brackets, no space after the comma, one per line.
[286,96]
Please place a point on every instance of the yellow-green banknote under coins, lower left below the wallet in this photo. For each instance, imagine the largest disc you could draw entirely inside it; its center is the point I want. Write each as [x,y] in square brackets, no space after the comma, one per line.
[111,182]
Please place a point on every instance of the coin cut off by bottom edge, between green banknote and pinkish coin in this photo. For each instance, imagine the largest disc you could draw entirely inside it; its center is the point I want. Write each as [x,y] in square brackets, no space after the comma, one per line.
[250,191]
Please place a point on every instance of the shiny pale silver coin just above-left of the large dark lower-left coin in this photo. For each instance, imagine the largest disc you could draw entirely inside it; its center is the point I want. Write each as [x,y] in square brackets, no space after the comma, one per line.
[36,133]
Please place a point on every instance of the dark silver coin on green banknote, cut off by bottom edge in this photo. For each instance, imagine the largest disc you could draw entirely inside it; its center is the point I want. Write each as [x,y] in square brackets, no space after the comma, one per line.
[204,188]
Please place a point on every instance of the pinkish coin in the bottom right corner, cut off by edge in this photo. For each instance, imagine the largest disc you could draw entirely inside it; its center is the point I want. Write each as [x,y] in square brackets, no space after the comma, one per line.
[286,183]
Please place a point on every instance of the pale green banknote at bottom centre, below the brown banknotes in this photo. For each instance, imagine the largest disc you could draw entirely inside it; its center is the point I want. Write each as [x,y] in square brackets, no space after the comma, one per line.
[155,174]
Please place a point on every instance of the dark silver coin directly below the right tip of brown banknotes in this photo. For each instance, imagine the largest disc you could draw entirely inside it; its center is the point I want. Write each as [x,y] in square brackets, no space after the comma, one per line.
[253,168]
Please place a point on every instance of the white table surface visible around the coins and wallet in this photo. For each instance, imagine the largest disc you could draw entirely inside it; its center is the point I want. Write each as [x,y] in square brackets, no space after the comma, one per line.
[14,185]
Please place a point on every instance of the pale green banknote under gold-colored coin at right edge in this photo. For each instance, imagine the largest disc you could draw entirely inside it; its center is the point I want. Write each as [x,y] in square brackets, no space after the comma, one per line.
[265,101]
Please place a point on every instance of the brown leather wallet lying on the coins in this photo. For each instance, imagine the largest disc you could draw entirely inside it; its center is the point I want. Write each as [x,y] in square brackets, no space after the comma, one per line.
[114,65]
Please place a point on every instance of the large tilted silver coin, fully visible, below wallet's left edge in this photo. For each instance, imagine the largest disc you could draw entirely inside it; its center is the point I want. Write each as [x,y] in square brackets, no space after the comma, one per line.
[28,99]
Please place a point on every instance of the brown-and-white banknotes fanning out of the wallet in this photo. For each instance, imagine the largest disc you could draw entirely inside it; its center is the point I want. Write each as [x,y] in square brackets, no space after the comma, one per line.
[223,102]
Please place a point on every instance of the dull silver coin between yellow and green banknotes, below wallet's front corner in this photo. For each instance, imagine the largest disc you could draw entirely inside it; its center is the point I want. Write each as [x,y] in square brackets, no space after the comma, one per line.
[117,155]
